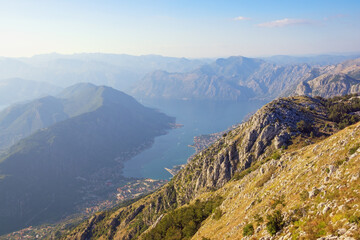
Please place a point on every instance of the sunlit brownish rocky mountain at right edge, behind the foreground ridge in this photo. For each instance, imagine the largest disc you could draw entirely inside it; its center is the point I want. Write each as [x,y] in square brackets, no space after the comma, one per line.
[340,79]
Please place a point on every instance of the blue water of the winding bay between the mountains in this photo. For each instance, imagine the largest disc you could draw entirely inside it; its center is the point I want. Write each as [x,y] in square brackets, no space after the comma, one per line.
[197,117]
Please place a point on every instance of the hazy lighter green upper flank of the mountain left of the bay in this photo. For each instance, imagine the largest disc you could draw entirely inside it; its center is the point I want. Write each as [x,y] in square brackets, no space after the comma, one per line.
[21,120]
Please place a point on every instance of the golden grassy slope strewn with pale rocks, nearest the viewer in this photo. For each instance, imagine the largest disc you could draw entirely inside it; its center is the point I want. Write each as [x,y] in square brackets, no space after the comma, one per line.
[308,193]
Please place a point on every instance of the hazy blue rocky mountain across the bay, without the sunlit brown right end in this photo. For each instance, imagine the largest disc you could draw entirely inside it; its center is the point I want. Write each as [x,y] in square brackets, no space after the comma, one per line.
[233,78]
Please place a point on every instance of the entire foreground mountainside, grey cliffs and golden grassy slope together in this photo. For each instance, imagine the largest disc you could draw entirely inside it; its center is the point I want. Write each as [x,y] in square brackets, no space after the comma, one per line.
[289,171]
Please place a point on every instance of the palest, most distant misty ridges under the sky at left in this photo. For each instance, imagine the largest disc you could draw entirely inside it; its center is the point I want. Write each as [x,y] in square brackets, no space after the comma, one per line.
[120,71]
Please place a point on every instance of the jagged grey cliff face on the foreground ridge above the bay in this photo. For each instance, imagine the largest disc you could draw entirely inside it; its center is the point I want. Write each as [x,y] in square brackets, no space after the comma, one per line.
[268,130]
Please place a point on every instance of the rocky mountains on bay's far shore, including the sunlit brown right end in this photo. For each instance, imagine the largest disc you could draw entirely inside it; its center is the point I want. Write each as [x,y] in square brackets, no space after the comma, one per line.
[240,78]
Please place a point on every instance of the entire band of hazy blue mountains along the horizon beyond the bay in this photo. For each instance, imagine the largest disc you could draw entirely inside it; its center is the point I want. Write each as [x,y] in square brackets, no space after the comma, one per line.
[156,76]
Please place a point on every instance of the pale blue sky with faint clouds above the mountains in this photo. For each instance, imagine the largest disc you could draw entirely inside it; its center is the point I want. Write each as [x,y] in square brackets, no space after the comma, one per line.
[179,28]
